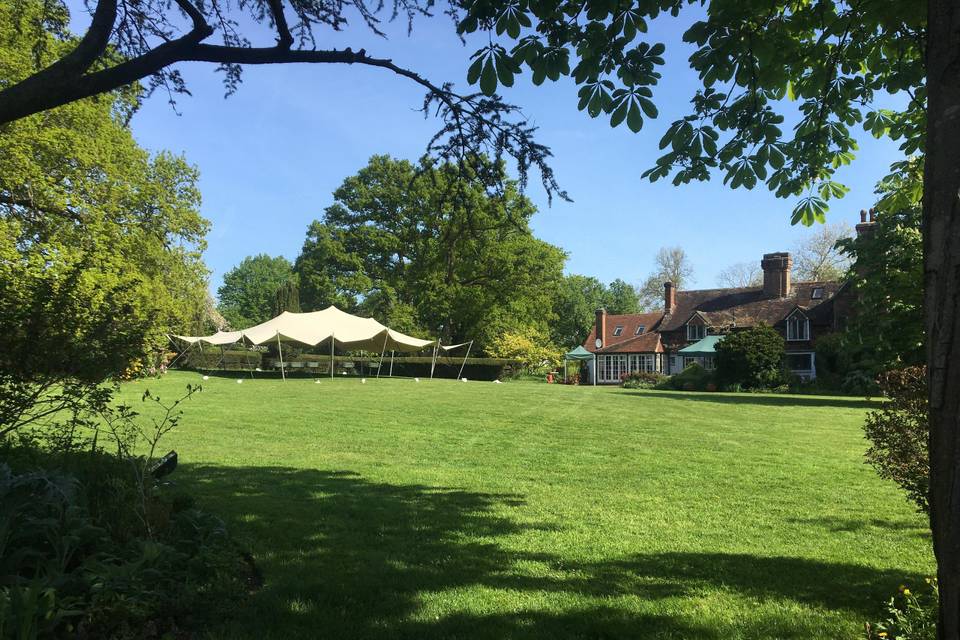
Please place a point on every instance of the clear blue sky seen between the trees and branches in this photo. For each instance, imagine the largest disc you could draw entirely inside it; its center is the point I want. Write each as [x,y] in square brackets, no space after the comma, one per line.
[271,155]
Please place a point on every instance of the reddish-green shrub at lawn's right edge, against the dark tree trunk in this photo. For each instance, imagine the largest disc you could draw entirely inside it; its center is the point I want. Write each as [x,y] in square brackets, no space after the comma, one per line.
[898,433]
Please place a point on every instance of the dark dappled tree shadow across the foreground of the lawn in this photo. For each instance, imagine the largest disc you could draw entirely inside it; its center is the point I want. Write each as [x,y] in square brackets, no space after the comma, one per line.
[347,557]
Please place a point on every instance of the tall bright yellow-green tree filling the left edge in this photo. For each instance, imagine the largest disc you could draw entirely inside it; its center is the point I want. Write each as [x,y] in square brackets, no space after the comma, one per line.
[100,246]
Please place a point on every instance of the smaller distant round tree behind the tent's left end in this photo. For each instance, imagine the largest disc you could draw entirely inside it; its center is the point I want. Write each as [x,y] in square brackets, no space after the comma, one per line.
[249,290]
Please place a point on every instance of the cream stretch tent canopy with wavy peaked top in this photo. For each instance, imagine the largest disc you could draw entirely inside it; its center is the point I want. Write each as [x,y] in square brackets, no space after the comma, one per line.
[312,328]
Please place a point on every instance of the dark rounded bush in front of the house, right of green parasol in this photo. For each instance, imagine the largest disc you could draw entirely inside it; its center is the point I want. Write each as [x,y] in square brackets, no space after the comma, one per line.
[751,358]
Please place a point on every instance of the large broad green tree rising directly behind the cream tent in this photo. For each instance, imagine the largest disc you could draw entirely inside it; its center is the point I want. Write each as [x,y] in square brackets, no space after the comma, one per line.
[431,249]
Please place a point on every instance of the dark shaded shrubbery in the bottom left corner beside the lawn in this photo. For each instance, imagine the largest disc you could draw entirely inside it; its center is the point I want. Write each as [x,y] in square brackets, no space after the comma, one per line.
[69,569]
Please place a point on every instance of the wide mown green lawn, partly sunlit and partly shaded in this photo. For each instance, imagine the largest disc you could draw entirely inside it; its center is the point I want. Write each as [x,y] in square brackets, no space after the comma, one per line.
[524,510]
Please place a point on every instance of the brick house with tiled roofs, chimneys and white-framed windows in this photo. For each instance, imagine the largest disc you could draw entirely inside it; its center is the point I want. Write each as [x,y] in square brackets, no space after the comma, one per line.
[800,311]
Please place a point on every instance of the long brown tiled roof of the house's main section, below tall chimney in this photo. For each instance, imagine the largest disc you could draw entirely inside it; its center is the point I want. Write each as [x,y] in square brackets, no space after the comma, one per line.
[747,306]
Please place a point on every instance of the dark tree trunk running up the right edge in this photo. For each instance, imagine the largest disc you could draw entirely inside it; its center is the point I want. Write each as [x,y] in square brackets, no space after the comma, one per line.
[941,232]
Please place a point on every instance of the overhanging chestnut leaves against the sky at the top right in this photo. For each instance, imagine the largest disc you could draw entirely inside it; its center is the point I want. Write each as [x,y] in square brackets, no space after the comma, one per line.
[761,64]
